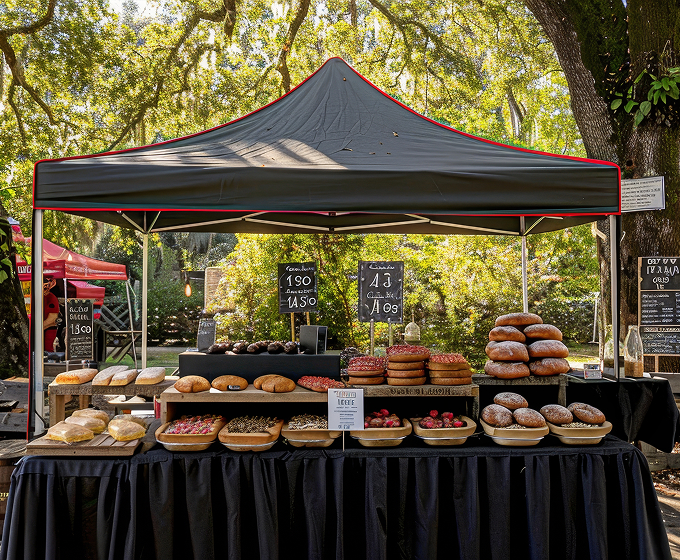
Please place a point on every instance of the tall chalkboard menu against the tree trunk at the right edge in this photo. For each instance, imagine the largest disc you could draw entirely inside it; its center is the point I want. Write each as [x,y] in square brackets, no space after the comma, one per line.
[659,305]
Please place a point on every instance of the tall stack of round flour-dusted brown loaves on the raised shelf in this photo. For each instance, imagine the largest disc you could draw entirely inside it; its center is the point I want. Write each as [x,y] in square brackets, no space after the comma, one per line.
[521,344]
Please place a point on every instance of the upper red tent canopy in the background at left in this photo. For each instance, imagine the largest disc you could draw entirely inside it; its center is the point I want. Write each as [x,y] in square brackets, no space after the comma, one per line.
[62,263]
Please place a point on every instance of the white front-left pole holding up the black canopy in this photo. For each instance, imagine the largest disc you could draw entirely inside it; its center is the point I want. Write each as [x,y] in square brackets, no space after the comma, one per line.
[37,320]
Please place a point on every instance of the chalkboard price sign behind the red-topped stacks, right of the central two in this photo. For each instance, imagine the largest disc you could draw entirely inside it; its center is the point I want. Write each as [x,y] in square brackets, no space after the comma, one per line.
[381,291]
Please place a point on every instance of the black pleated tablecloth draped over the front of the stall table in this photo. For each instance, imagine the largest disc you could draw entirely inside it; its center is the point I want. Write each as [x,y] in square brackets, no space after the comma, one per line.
[479,501]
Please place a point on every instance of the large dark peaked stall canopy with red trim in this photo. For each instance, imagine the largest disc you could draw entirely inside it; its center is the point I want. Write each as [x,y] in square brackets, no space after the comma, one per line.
[336,154]
